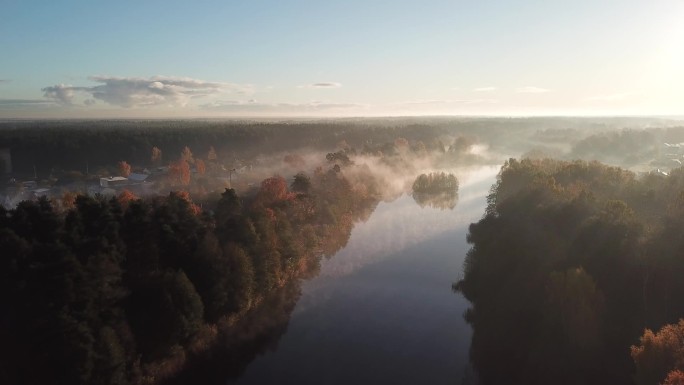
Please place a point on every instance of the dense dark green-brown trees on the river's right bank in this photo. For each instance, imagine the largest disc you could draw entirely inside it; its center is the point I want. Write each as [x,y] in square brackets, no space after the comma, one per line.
[570,263]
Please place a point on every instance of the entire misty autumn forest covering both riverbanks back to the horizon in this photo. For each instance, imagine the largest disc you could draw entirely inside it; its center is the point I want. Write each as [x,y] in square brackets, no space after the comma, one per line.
[573,274]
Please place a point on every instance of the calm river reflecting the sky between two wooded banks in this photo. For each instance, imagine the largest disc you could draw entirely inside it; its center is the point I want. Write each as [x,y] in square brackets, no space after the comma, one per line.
[382,310]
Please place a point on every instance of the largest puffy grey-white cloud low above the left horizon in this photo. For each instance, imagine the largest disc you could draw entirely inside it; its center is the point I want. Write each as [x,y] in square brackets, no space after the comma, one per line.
[131,92]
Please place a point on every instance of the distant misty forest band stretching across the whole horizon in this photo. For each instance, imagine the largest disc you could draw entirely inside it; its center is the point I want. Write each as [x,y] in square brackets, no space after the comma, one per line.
[97,145]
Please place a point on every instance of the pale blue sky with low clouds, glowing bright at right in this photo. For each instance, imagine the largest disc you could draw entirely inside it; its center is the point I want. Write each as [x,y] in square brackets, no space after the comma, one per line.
[286,58]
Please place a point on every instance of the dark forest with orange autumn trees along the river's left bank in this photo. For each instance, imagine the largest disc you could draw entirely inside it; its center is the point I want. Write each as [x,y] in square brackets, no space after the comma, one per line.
[123,291]
